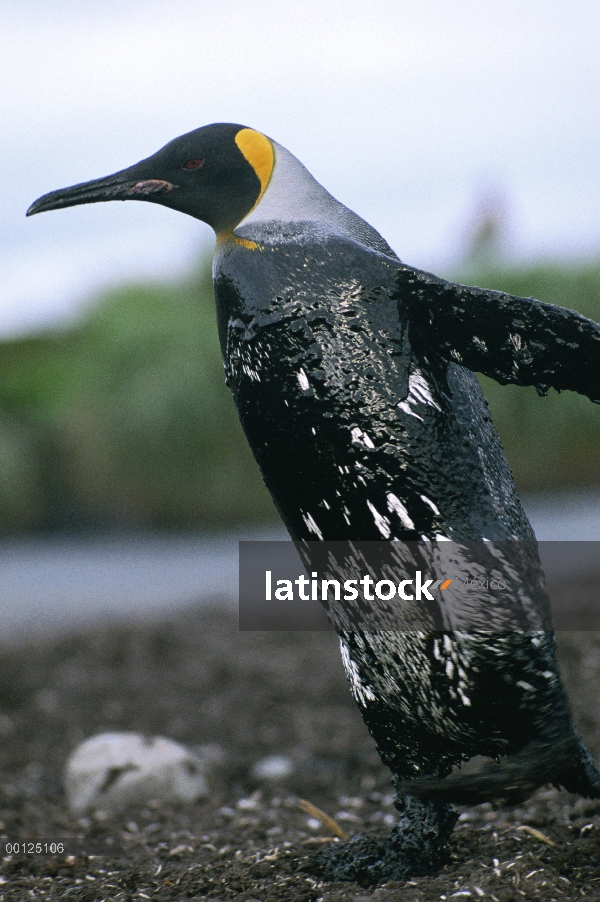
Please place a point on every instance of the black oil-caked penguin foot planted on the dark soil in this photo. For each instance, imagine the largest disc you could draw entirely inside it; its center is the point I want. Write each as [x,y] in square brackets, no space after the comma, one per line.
[414,848]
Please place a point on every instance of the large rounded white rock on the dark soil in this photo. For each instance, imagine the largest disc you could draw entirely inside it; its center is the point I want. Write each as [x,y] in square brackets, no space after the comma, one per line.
[113,770]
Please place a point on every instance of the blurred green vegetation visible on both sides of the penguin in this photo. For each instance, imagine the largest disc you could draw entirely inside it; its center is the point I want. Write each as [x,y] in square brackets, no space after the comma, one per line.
[124,418]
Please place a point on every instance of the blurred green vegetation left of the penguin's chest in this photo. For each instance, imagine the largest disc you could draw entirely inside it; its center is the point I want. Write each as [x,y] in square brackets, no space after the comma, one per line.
[125,420]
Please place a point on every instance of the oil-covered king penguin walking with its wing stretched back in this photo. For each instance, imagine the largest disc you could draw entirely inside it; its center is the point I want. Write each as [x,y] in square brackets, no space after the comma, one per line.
[353,377]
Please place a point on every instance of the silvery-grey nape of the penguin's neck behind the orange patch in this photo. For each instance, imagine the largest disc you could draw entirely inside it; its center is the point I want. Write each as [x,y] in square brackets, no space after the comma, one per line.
[295,199]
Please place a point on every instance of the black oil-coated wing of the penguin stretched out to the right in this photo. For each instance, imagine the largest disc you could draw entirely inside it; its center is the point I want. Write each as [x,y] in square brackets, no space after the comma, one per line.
[510,339]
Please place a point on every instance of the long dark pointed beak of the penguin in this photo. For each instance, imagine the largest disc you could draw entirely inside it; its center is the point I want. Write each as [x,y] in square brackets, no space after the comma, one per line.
[120,186]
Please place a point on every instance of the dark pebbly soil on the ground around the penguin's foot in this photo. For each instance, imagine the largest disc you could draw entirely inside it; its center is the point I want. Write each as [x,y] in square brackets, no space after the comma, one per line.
[195,678]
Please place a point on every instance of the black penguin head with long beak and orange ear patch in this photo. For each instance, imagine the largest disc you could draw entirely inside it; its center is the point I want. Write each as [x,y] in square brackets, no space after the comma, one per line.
[217,174]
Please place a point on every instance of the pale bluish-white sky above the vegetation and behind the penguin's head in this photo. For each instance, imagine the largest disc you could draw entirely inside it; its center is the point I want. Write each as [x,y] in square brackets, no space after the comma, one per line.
[408,112]
